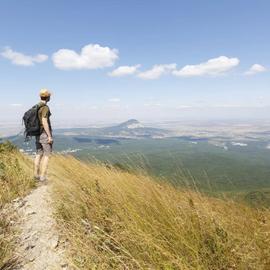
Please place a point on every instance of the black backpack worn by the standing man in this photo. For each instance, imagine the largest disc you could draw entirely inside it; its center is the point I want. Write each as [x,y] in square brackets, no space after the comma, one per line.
[31,122]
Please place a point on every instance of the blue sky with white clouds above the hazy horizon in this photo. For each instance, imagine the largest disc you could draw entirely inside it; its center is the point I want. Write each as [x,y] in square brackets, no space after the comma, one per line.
[151,60]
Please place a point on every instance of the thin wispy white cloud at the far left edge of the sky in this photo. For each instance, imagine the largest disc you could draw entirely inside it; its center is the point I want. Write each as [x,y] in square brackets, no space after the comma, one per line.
[21,59]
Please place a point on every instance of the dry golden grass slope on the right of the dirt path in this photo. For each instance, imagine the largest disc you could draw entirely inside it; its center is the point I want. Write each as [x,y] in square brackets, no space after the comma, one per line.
[117,220]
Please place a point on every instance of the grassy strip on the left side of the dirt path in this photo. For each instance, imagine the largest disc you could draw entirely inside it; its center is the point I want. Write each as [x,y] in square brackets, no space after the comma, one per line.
[15,181]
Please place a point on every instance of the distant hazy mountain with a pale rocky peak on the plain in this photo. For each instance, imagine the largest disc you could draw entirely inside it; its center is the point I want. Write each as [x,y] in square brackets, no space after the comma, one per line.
[129,129]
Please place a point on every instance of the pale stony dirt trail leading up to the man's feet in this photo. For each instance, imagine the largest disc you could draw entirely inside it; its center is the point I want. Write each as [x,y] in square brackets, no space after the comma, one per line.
[39,247]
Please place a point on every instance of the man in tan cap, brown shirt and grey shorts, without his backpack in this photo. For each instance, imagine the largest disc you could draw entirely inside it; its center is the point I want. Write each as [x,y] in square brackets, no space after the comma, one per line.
[44,141]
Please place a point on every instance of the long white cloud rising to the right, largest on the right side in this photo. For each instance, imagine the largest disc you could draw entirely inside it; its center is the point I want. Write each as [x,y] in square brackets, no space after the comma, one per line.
[215,66]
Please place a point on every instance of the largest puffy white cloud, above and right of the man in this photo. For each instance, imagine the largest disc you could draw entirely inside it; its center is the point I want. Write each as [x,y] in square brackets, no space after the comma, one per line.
[92,56]
